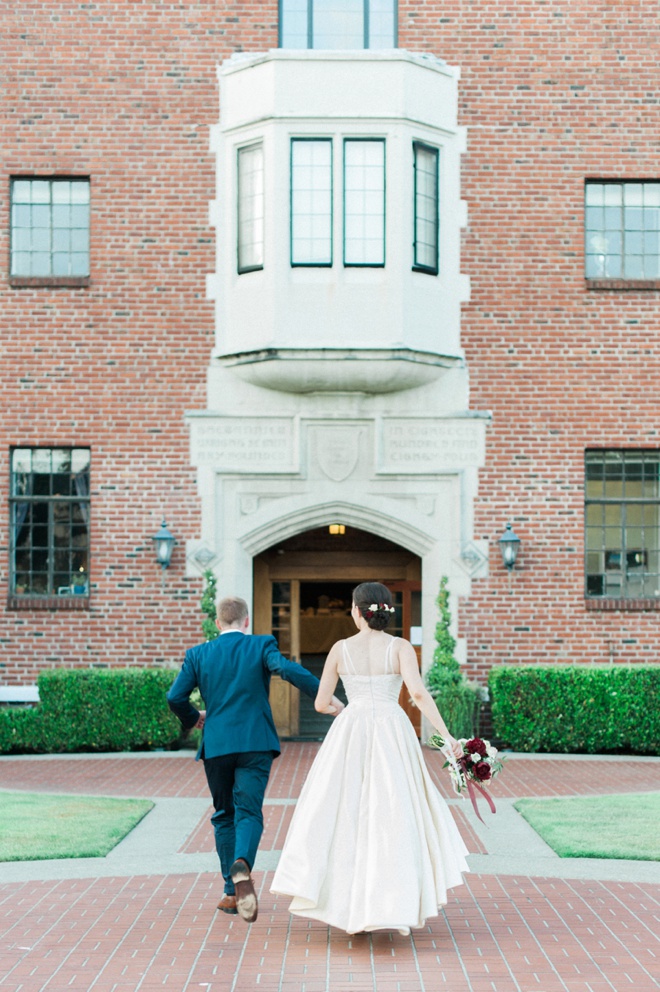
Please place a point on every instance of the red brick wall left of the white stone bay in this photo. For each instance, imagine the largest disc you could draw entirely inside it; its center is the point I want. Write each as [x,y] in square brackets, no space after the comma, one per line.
[123,92]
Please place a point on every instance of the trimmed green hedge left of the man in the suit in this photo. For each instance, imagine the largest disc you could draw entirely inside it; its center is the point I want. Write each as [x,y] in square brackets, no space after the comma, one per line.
[94,710]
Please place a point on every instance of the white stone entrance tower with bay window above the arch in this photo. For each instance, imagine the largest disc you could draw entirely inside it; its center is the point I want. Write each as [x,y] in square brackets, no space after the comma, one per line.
[337,390]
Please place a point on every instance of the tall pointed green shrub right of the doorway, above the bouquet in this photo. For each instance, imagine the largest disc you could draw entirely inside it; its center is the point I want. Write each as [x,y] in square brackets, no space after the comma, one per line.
[456,698]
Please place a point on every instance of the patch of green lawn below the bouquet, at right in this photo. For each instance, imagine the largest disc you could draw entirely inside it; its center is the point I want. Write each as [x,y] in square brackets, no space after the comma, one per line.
[598,826]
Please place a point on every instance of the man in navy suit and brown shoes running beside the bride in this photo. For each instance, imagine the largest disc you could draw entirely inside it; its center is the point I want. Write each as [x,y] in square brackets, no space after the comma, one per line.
[239,740]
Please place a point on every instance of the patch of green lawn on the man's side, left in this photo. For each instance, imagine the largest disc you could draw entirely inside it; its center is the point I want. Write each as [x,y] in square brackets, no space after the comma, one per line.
[36,827]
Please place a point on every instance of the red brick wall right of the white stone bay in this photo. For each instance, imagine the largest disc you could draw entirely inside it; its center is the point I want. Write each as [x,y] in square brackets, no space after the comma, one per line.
[551,93]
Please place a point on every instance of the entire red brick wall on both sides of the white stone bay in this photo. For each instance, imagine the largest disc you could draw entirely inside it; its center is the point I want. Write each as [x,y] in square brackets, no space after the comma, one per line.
[124,92]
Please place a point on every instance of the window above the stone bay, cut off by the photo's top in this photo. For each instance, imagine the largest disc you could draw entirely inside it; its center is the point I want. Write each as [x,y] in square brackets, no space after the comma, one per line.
[338,24]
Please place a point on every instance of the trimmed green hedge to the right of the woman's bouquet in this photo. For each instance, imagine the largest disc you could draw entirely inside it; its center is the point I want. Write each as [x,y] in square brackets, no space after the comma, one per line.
[571,709]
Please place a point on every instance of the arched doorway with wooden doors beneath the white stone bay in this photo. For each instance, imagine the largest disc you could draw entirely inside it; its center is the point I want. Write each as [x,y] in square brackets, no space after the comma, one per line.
[302,595]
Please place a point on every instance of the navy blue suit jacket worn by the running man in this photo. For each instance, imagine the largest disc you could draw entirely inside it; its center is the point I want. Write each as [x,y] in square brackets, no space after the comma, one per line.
[233,674]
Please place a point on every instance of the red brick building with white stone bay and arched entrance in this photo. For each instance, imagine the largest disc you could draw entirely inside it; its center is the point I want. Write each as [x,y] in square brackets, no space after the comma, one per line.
[271,272]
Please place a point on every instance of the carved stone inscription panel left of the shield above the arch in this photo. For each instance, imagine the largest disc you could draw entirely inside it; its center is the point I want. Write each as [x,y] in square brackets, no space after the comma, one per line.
[244,444]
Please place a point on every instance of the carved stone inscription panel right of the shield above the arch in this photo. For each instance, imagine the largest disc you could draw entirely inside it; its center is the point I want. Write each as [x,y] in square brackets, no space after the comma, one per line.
[426,445]
